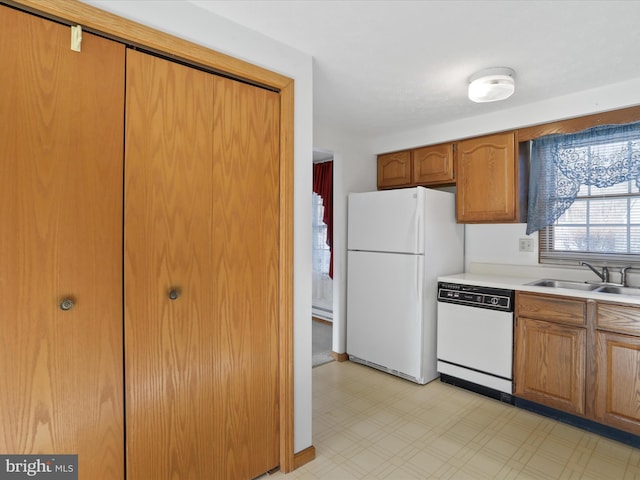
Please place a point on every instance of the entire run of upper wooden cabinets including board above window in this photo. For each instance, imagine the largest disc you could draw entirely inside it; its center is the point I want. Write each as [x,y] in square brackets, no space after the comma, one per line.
[491,173]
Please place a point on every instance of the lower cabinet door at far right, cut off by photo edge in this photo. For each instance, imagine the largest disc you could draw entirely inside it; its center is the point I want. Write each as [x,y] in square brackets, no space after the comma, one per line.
[618,381]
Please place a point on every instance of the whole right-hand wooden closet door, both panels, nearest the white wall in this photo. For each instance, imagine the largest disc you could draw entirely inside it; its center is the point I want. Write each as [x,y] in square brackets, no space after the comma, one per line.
[201,274]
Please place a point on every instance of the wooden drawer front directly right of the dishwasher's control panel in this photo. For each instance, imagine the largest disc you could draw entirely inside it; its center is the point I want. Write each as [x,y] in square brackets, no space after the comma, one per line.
[555,309]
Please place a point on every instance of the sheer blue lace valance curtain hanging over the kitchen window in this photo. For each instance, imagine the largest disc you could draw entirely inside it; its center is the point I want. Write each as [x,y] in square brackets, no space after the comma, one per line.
[601,156]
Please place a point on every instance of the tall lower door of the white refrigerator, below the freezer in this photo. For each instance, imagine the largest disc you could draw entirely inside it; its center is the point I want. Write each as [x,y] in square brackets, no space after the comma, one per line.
[384,312]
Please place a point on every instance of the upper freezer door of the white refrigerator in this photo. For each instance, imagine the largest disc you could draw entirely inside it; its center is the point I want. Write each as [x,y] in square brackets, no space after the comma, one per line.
[387,221]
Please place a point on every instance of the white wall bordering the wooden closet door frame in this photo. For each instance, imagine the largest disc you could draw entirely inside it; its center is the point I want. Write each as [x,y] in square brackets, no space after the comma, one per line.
[199,26]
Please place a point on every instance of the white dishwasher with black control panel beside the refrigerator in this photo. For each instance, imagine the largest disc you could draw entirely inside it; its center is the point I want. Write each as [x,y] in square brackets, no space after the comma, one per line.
[475,338]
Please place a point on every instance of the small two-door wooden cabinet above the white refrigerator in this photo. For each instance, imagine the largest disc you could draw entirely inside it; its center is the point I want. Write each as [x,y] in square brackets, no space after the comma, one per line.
[433,165]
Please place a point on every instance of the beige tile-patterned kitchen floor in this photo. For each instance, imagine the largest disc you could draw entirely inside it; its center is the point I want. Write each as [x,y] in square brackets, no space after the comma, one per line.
[371,425]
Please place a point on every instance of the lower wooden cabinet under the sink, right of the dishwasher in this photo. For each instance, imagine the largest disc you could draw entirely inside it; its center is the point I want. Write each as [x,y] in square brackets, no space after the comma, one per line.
[579,356]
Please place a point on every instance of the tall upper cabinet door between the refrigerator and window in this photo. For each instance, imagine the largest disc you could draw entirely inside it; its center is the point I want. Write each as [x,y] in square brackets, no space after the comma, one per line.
[487,179]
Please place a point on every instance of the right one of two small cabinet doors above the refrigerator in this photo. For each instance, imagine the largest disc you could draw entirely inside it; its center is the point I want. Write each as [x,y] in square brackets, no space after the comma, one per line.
[433,165]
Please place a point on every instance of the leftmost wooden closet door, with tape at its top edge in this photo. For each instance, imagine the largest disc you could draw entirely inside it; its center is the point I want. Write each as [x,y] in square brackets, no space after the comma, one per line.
[61,144]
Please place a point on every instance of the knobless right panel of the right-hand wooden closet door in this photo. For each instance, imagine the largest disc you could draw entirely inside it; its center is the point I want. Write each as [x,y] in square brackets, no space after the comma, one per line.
[245,286]
